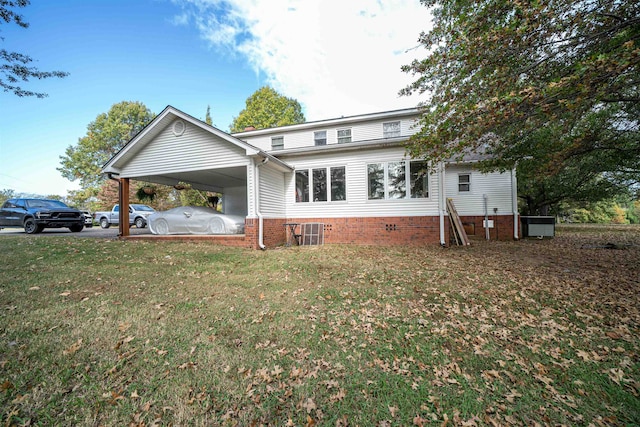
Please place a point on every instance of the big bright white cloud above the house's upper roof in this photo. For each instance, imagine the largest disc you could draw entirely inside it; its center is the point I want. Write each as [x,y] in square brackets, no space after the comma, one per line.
[335,57]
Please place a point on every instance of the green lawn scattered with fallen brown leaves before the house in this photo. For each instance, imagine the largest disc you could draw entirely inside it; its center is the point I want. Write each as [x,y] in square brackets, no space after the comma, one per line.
[536,332]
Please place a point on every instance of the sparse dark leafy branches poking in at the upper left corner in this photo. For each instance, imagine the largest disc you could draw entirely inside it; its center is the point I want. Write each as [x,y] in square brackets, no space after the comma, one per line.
[15,67]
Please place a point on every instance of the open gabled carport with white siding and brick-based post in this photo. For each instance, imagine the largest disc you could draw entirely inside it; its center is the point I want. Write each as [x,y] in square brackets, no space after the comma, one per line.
[175,147]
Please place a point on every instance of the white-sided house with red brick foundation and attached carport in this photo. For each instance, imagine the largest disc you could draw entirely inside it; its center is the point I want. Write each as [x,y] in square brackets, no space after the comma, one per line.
[350,175]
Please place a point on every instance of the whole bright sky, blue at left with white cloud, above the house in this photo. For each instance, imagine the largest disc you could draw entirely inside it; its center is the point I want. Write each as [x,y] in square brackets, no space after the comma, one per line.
[335,57]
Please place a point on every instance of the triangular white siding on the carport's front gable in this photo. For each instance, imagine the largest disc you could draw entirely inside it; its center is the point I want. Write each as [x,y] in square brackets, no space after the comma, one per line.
[194,150]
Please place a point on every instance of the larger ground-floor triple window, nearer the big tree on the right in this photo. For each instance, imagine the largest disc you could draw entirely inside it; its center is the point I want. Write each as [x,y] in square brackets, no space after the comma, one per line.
[388,180]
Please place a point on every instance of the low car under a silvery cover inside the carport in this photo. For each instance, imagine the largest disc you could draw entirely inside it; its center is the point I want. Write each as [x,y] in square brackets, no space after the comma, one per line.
[195,220]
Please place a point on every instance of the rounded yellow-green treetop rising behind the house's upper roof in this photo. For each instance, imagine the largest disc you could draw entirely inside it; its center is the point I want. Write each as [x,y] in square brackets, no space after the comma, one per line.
[267,108]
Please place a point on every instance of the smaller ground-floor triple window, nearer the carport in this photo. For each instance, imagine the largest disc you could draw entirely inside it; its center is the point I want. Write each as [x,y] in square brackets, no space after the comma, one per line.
[321,184]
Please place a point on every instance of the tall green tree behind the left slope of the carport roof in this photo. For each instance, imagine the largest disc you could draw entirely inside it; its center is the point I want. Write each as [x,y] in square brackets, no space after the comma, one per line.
[106,135]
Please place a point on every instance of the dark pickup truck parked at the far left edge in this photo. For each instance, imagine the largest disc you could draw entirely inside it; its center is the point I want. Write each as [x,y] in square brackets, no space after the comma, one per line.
[34,215]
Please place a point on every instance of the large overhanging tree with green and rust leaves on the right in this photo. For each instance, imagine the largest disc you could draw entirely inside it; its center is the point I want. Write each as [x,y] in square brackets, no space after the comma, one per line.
[551,86]
